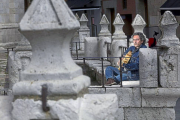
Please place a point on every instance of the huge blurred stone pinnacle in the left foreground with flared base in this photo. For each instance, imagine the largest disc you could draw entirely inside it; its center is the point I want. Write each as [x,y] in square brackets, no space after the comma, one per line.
[49,26]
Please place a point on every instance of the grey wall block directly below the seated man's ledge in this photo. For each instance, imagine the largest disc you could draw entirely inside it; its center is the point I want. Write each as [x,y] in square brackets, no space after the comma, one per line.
[127,97]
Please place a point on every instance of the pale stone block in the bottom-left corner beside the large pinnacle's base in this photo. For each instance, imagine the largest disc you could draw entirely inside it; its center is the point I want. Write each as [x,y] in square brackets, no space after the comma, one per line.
[5,107]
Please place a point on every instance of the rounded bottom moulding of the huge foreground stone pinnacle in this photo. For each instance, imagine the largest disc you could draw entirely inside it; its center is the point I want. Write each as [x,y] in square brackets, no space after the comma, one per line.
[55,87]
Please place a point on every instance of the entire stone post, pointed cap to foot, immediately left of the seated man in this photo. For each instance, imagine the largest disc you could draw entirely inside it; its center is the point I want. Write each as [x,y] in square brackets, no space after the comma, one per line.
[119,40]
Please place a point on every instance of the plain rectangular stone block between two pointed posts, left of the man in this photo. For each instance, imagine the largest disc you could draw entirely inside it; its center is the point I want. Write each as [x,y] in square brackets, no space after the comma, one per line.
[91,47]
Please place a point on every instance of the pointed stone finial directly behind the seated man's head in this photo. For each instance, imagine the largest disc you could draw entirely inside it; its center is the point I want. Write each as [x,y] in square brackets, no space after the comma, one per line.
[138,24]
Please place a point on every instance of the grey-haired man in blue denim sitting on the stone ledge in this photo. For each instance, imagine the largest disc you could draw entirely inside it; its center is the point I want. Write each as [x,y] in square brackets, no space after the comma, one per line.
[131,66]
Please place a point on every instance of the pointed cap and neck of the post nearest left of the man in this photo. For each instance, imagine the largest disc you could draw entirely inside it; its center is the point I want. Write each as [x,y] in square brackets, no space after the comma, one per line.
[118,24]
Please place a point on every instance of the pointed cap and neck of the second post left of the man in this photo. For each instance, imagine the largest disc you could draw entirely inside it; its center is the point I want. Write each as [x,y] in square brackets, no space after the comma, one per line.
[104,27]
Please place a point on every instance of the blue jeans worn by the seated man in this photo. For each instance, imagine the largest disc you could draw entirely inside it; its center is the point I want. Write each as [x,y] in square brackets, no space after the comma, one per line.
[114,73]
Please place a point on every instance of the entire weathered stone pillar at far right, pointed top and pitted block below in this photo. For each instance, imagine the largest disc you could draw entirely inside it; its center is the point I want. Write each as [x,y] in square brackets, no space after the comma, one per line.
[169,58]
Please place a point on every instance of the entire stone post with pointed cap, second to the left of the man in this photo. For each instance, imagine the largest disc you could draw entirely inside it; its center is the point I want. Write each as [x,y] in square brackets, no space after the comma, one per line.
[104,36]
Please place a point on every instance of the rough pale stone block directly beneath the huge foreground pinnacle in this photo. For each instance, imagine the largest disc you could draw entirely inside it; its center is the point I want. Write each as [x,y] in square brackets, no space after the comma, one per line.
[30,109]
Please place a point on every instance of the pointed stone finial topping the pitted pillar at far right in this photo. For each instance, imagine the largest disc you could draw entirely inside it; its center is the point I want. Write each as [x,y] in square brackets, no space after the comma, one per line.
[168,24]
